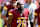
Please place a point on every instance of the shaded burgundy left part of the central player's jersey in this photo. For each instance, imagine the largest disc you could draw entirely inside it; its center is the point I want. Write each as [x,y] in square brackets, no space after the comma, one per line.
[16,14]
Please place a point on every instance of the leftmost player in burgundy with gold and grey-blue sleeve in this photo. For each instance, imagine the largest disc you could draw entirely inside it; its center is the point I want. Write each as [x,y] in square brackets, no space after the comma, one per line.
[6,8]
